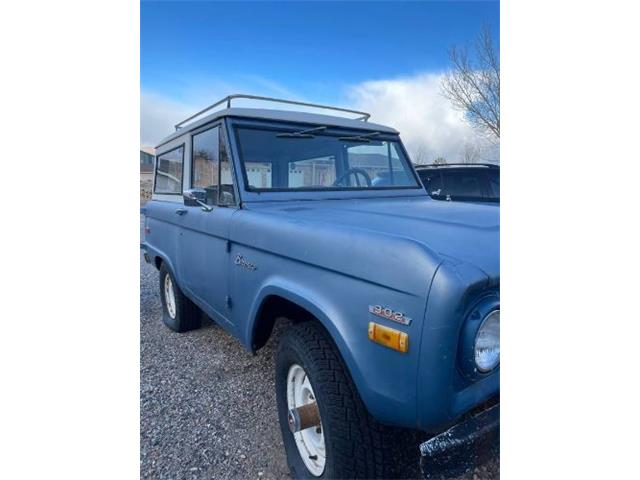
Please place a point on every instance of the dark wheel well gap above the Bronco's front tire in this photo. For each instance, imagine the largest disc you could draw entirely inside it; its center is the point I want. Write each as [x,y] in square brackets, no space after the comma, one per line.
[273,308]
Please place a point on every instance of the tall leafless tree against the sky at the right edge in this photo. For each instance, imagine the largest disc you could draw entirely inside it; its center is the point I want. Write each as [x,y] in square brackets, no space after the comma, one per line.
[473,84]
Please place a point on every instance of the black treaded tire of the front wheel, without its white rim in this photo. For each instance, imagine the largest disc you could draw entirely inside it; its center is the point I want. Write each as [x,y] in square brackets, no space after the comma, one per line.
[357,446]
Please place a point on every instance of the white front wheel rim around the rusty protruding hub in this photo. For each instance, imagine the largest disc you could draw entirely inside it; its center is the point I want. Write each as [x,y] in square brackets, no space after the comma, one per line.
[310,442]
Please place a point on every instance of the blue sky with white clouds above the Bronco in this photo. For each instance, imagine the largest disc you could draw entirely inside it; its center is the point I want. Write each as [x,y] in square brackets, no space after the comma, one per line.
[386,58]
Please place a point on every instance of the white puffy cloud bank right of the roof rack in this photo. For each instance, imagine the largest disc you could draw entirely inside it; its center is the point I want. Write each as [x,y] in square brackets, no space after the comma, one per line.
[429,126]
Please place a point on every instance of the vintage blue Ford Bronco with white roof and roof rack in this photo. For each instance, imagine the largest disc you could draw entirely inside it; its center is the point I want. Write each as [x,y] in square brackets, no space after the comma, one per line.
[392,298]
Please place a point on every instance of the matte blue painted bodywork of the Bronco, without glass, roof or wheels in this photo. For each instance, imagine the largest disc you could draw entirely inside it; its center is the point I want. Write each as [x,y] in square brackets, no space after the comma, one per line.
[336,253]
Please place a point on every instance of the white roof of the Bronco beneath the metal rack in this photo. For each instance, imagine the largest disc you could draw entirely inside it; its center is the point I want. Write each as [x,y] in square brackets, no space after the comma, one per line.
[281,115]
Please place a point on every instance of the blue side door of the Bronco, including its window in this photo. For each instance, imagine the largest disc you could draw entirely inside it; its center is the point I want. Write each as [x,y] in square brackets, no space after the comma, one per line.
[203,253]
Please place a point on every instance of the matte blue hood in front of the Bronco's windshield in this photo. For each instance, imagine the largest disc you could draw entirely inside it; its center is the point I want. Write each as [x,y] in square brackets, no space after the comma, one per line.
[456,231]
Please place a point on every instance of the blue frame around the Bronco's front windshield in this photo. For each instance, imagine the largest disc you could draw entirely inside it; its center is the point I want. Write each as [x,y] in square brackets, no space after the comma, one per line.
[253,193]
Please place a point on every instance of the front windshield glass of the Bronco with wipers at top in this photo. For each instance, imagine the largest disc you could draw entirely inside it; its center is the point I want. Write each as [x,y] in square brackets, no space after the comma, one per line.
[321,158]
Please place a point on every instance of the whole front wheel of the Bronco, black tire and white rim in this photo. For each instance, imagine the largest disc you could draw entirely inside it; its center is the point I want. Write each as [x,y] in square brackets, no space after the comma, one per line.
[340,439]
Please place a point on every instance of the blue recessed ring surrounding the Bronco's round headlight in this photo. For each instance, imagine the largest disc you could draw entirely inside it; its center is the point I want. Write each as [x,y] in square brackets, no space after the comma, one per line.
[474,320]
